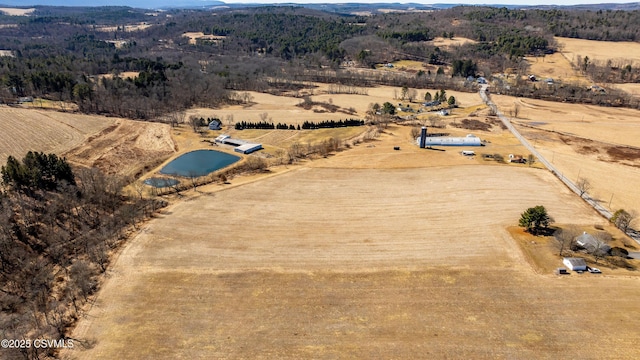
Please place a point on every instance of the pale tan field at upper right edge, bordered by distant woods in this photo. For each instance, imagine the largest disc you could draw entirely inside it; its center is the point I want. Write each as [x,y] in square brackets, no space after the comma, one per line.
[619,52]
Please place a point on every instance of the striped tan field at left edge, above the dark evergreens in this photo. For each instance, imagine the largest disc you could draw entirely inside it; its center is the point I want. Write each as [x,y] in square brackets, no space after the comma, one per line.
[22,130]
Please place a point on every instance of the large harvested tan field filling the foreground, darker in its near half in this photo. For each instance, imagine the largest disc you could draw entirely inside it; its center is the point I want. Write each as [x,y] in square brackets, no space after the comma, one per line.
[329,263]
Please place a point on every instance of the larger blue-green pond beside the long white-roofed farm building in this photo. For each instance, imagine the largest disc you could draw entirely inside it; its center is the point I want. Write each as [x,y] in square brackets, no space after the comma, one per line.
[199,163]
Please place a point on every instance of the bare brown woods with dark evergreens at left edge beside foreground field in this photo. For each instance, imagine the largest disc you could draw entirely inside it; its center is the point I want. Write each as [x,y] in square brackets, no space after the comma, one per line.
[57,231]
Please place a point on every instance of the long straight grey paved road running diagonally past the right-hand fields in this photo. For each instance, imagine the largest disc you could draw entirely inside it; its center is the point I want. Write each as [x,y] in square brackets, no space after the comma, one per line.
[596,205]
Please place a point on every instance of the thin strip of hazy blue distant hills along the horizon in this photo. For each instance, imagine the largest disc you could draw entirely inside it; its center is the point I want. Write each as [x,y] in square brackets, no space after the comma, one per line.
[343,8]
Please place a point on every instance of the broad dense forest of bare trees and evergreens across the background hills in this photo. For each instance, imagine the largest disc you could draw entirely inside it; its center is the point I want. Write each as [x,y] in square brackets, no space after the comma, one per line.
[63,54]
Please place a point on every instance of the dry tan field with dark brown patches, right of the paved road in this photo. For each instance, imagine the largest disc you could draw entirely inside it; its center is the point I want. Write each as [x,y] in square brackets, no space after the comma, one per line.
[596,143]
